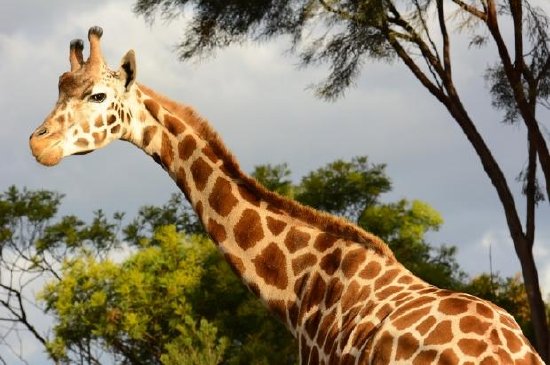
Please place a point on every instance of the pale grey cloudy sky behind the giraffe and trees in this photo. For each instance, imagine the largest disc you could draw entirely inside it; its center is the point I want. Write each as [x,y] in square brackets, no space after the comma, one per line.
[259,101]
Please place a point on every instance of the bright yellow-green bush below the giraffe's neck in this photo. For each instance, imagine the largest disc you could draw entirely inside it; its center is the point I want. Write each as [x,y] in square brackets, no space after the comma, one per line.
[139,310]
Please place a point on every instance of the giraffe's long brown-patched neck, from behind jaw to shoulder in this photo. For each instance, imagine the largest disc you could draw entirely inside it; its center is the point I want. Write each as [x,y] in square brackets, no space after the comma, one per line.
[284,252]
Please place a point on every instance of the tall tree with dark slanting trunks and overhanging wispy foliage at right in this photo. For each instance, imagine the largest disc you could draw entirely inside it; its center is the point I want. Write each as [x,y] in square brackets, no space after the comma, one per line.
[418,33]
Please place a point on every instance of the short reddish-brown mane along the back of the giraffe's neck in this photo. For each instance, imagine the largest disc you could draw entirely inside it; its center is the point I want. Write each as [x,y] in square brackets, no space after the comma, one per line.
[336,226]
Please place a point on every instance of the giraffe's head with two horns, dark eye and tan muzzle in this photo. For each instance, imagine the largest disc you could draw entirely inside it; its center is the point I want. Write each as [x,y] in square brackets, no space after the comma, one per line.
[92,108]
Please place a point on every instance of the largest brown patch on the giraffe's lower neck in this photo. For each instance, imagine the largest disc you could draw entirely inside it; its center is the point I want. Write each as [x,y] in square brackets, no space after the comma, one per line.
[270,265]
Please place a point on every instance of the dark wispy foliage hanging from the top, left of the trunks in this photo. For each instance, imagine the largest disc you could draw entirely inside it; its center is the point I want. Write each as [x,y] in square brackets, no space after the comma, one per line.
[352,30]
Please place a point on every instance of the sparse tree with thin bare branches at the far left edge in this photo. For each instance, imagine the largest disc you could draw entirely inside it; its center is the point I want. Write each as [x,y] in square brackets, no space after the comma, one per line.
[33,244]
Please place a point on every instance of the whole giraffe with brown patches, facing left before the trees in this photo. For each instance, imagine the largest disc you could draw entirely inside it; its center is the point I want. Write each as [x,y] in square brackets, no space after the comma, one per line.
[338,289]
